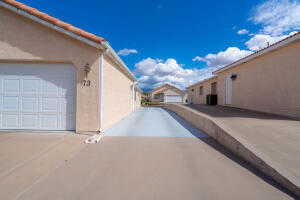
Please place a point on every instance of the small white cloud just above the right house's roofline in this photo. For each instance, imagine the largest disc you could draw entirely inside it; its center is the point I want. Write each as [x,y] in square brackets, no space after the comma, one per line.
[260,41]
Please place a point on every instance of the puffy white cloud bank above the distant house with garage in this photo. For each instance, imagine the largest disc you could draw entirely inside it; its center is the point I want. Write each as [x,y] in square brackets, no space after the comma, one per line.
[156,72]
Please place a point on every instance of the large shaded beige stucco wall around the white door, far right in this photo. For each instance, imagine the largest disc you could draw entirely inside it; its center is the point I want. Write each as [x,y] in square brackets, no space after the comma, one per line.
[269,83]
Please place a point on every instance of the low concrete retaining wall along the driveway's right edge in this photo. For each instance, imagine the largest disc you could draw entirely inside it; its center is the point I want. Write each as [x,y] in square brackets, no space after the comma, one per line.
[222,134]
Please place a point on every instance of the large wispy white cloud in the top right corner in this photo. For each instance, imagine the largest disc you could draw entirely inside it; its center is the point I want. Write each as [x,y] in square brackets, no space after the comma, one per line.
[277,16]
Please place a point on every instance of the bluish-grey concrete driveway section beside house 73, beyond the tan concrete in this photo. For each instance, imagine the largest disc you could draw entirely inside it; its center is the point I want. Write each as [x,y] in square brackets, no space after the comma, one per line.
[154,122]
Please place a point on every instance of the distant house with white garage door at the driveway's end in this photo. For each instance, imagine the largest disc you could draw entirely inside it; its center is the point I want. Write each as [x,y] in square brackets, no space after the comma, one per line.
[168,94]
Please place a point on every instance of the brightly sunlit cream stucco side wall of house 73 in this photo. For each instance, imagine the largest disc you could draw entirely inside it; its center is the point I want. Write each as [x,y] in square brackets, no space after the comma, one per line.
[118,95]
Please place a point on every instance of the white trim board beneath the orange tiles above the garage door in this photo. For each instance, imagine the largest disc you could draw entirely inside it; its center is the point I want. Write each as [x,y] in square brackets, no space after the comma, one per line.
[43,22]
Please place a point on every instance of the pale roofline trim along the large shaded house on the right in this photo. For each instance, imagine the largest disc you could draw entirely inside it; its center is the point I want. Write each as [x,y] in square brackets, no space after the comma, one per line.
[273,47]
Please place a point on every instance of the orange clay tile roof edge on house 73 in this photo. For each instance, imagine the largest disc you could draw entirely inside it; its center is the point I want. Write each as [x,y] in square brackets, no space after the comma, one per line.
[54,21]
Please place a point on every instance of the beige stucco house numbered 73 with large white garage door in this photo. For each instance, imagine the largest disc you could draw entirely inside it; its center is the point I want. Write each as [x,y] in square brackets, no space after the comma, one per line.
[54,76]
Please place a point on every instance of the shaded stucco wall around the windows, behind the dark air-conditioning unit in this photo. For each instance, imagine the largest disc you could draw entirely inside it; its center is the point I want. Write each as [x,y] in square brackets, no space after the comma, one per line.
[195,97]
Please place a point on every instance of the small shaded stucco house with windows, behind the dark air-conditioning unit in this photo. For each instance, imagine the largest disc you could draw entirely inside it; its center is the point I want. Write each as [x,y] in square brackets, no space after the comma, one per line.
[197,93]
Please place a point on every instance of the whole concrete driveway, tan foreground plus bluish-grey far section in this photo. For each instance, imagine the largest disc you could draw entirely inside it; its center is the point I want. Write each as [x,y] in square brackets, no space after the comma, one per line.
[151,154]
